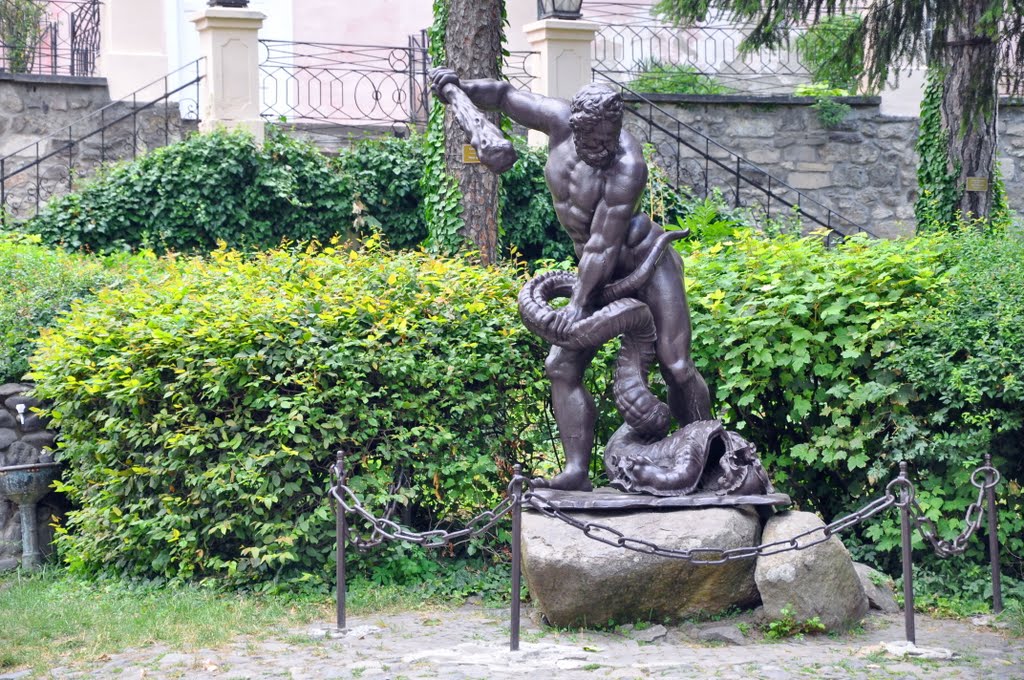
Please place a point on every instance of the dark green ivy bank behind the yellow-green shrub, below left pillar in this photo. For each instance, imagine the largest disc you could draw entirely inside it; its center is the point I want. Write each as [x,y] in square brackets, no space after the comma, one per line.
[222,188]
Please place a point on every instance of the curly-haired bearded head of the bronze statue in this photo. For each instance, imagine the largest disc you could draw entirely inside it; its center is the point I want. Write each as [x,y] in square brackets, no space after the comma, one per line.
[596,121]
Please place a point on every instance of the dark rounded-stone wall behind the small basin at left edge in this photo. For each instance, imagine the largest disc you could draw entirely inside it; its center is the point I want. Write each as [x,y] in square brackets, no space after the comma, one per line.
[24,440]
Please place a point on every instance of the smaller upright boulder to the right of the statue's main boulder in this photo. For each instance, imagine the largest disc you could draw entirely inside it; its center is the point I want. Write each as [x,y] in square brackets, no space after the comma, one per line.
[817,582]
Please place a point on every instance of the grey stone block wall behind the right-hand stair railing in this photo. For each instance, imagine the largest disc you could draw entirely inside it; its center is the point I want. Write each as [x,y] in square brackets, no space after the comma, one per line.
[866,169]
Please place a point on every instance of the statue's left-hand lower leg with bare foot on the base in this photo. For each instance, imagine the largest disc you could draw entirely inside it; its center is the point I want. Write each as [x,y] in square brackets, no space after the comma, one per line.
[575,414]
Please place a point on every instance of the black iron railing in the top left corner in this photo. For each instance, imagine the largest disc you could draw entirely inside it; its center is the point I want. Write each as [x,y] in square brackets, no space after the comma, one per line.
[50,37]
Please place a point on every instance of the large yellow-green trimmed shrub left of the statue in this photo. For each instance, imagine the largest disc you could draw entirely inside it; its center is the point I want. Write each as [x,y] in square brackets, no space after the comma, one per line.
[200,413]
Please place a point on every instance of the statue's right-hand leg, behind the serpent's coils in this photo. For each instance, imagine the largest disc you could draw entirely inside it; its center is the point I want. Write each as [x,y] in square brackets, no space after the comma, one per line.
[689,397]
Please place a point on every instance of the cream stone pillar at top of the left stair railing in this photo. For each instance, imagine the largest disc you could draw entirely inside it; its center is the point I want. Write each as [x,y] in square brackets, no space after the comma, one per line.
[230,93]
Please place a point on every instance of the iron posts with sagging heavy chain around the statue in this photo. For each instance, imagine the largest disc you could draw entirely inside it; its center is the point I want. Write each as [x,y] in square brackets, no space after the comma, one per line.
[899,493]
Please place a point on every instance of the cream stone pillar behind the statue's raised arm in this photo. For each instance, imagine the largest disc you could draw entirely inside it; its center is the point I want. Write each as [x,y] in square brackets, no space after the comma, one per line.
[565,64]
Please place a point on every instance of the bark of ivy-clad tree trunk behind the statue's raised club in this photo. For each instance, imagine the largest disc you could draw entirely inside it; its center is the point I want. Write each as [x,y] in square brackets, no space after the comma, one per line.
[474,45]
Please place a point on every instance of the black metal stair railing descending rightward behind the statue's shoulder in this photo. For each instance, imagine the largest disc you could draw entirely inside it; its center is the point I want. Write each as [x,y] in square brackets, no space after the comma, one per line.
[697,164]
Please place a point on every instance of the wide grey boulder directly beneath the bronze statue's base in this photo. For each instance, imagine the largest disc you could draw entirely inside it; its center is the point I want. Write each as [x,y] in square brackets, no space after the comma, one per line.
[577,581]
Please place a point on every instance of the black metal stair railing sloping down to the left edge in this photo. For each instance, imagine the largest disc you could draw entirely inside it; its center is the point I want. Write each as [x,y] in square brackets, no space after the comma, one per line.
[151,117]
